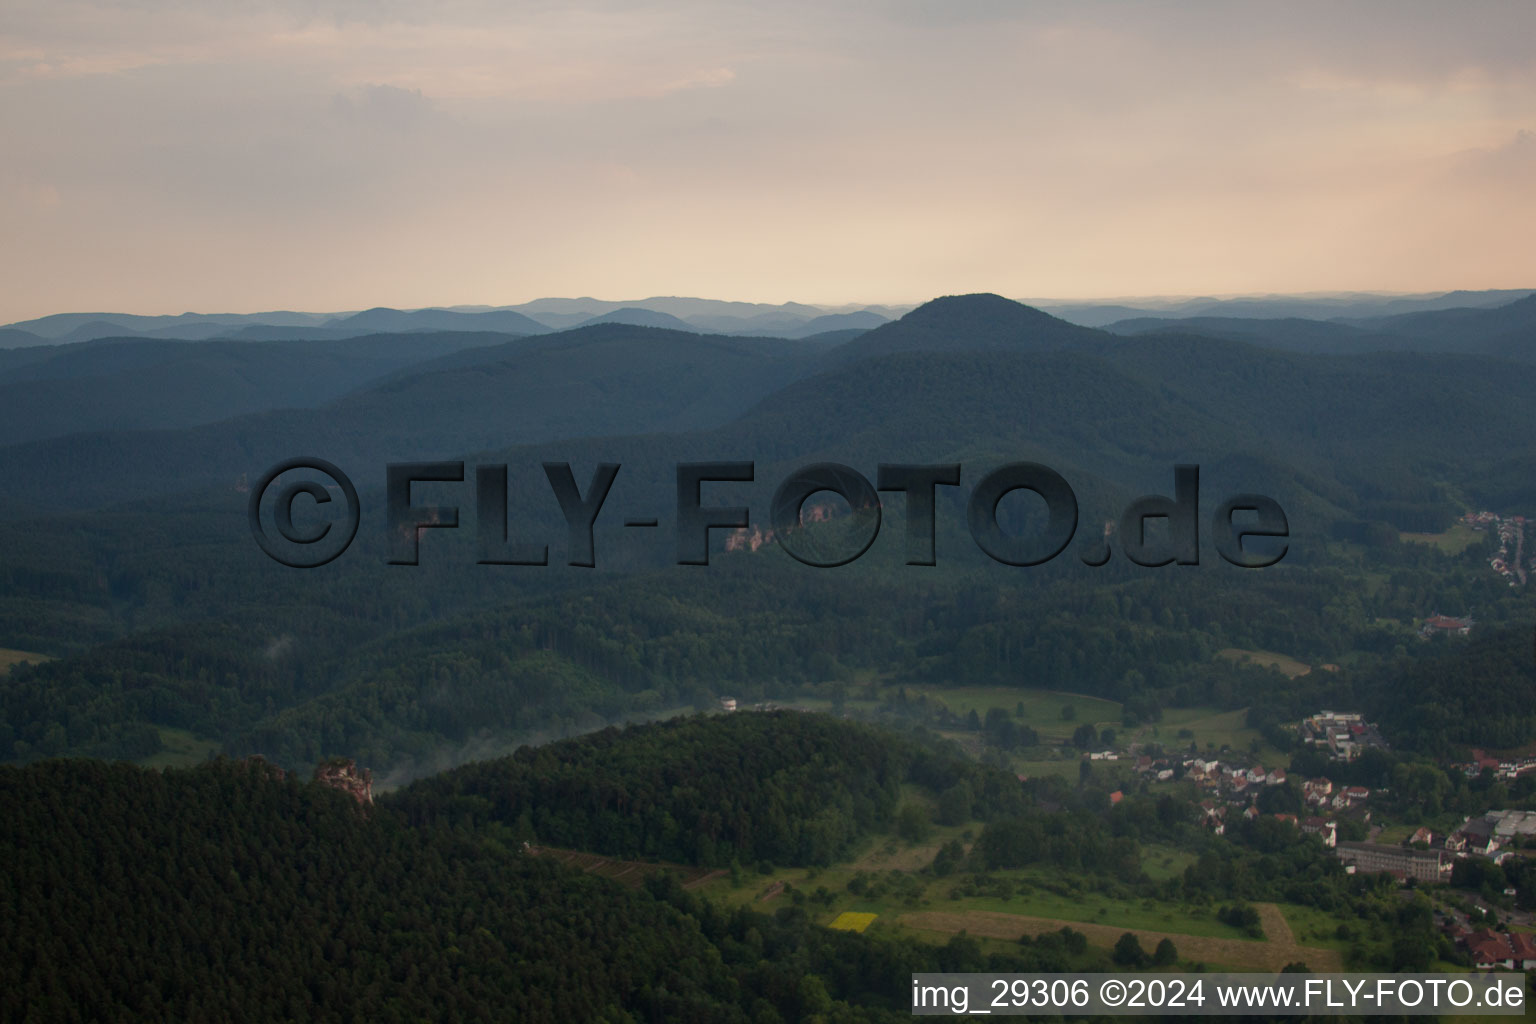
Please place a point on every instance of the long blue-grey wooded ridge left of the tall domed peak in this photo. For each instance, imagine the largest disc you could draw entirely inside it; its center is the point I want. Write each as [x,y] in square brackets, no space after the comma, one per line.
[594,382]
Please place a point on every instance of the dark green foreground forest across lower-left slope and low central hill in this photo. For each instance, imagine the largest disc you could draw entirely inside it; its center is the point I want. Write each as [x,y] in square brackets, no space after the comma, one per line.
[239,891]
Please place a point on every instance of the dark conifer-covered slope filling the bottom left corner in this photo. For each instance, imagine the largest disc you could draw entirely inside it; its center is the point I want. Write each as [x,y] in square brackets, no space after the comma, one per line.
[223,893]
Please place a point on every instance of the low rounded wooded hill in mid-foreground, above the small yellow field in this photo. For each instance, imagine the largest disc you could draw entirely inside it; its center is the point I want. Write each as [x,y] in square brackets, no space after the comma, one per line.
[786,788]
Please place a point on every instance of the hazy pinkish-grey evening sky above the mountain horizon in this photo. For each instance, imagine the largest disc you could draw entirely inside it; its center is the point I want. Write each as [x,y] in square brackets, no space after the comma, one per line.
[219,156]
